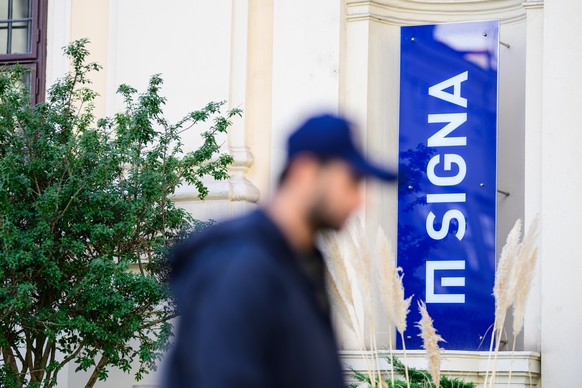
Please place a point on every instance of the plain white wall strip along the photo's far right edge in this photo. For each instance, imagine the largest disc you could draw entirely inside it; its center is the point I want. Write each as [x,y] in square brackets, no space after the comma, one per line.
[561,177]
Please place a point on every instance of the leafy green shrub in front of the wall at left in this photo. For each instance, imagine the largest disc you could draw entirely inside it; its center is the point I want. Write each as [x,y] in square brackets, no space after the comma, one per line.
[84,208]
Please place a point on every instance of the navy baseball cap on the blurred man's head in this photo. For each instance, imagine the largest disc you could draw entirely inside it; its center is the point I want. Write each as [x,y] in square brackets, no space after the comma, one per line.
[330,137]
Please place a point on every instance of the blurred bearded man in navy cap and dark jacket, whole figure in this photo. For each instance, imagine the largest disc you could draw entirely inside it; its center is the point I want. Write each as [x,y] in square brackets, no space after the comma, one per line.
[251,291]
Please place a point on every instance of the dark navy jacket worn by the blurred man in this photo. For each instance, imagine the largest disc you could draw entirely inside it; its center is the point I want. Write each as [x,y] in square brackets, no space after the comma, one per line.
[249,313]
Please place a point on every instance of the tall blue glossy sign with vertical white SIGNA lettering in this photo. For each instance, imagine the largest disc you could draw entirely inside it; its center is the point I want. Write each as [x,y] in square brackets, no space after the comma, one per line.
[447,178]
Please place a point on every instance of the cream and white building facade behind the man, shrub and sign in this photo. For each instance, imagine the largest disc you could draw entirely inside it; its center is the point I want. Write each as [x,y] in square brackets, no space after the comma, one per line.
[280,61]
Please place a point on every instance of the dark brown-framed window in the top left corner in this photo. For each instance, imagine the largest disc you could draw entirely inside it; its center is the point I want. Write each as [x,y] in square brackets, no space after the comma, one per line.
[23,40]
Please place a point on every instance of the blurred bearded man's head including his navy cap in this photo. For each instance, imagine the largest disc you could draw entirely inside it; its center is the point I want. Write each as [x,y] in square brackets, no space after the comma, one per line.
[325,169]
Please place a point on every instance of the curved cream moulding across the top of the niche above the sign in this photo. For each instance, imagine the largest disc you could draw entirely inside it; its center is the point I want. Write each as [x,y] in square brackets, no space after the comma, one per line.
[401,12]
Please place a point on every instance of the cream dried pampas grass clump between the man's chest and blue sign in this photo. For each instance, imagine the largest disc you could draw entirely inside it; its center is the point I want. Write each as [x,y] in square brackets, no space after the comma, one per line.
[358,279]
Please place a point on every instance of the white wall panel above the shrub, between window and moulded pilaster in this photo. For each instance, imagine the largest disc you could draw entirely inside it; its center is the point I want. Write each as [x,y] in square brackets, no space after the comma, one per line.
[167,38]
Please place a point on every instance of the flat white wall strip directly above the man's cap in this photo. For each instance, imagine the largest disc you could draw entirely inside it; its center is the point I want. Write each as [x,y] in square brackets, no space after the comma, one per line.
[306,49]
